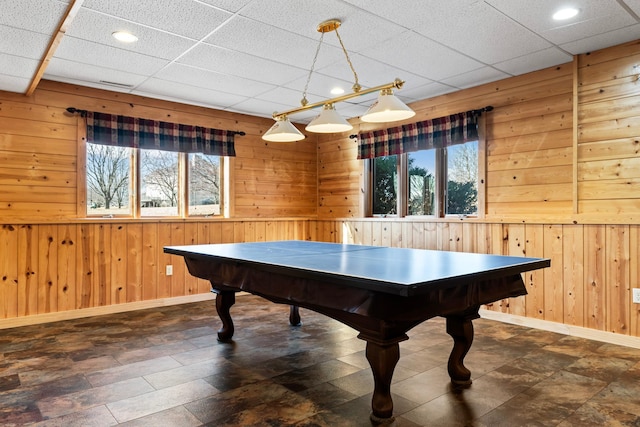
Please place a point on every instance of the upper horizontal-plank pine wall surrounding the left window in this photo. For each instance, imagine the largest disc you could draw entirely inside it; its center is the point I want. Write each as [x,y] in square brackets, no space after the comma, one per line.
[41,163]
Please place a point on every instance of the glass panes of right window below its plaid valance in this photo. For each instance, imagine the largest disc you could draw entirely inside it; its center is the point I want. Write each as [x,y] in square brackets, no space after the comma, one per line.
[435,182]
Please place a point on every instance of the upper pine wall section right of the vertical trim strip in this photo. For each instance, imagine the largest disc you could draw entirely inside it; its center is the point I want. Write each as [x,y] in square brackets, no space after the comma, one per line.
[608,164]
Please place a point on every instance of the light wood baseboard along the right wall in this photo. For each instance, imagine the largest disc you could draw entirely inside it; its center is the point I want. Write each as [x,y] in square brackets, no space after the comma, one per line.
[561,328]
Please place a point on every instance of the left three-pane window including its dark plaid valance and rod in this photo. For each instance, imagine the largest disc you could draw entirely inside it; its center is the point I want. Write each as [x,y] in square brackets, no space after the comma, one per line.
[147,168]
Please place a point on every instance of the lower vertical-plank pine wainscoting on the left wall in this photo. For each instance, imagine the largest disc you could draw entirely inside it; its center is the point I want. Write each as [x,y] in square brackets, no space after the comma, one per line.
[50,271]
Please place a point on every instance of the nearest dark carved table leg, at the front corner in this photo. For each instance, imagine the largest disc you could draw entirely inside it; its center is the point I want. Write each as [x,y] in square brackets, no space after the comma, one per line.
[383,360]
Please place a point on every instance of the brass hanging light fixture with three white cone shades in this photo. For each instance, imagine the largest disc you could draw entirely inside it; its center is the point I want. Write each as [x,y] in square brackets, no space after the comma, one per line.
[387,108]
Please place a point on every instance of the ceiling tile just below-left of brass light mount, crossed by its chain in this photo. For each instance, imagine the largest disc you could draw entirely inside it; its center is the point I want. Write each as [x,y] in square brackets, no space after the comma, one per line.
[268,42]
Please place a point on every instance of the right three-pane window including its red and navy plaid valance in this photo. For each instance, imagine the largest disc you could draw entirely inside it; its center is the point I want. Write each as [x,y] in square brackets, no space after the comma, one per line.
[427,168]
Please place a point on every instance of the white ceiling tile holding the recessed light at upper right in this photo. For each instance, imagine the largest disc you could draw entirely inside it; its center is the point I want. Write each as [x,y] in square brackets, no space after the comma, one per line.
[595,17]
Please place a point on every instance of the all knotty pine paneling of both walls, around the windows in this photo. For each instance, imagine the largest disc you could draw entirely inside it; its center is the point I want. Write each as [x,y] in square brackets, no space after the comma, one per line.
[559,183]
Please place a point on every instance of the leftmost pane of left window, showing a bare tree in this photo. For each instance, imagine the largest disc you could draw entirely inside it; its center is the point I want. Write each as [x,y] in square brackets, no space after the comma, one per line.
[108,169]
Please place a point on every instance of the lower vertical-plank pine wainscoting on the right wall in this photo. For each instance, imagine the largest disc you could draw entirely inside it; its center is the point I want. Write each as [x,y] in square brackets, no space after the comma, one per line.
[593,267]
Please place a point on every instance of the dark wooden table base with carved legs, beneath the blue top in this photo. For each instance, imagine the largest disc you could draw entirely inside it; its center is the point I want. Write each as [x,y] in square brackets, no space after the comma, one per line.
[382,319]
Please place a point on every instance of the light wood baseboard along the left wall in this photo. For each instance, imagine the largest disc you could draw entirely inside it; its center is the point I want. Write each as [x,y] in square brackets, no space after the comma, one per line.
[37,319]
